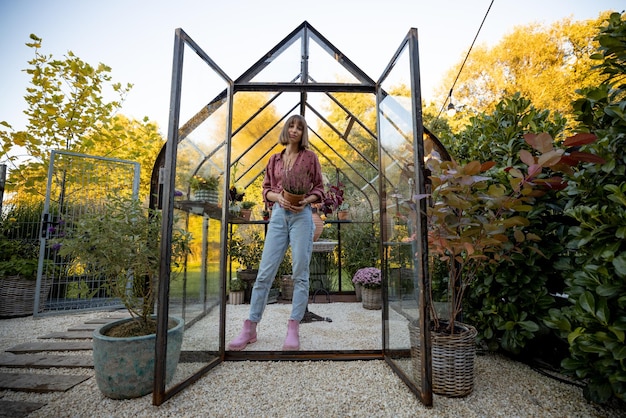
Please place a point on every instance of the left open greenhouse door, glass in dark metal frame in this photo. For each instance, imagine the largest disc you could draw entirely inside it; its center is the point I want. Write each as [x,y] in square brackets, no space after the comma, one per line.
[197,144]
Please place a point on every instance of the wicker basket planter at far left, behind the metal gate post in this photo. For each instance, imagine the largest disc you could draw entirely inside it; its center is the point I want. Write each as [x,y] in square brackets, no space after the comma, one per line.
[17,295]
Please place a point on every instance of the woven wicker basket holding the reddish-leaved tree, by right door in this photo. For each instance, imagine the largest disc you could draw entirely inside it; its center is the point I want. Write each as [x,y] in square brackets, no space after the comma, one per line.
[452,360]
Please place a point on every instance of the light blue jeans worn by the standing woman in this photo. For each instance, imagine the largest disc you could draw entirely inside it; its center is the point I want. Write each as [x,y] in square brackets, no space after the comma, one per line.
[285,228]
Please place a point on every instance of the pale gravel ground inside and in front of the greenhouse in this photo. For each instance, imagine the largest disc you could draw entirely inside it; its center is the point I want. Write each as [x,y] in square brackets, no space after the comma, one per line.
[503,388]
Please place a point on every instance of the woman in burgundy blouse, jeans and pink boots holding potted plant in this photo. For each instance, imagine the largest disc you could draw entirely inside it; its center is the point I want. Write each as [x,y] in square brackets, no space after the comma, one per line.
[290,225]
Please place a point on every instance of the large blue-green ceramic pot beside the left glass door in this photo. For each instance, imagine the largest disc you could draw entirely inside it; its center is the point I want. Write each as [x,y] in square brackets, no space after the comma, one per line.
[124,367]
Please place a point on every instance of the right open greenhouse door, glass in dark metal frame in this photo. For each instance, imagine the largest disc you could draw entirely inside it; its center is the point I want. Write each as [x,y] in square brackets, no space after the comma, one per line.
[403,224]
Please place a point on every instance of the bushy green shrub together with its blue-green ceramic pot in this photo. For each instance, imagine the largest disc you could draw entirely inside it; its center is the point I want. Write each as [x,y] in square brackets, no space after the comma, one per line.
[121,243]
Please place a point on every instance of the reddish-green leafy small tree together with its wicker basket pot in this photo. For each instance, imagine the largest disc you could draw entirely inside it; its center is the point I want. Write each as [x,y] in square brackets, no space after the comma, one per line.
[477,217]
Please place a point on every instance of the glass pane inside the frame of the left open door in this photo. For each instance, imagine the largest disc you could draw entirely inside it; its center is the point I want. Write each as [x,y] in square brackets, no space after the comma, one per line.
[202,151]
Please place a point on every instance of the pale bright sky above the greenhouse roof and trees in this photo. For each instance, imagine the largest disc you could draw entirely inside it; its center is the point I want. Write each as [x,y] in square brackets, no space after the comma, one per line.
[136,37]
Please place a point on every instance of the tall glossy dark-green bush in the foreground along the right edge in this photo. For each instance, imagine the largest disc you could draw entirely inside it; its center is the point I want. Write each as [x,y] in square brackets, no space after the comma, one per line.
[594,323]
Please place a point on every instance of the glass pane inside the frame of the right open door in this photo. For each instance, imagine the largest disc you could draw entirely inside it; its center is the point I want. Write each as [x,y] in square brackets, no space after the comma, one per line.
[398,153]
